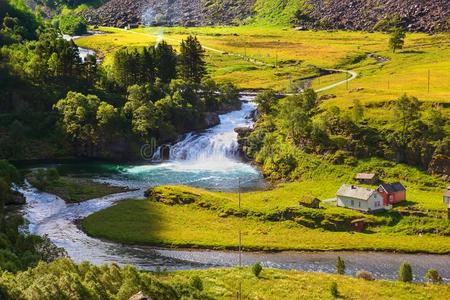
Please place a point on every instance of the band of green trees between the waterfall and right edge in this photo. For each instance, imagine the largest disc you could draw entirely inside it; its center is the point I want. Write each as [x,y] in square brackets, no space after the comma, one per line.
[414,133]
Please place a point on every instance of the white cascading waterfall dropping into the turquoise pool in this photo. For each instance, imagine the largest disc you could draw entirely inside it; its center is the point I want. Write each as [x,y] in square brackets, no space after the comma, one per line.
[217,144]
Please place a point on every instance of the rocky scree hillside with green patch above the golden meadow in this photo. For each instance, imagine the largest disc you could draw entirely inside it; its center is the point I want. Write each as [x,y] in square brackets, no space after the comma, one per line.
[415,15]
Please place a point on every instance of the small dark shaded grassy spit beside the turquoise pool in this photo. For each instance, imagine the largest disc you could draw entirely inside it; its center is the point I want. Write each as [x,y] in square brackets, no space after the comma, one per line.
[75,190]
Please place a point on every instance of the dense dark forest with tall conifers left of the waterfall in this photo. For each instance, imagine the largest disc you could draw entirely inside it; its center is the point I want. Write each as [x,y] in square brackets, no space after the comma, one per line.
[141,97]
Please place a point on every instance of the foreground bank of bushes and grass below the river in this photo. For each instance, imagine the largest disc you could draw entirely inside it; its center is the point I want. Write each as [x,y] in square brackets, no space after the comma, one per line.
[65,280]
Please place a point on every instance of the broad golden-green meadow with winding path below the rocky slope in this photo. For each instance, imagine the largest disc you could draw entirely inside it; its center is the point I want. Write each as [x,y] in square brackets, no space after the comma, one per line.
[292,55]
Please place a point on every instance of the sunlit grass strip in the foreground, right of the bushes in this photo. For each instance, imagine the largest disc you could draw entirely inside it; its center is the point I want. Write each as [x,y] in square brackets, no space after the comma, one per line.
[279,284]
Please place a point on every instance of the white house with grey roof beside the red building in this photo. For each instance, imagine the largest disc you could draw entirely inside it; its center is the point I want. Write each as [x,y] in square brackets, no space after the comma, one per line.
[362,199]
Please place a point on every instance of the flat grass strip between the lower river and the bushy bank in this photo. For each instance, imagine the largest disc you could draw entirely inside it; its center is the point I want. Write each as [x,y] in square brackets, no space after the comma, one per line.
[151,223]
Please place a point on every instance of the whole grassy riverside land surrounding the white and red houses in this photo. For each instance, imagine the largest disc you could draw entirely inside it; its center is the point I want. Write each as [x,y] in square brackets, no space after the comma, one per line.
[273,220]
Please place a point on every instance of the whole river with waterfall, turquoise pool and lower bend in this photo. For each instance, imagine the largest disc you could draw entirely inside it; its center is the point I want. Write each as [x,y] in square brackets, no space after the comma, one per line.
[207,159]
